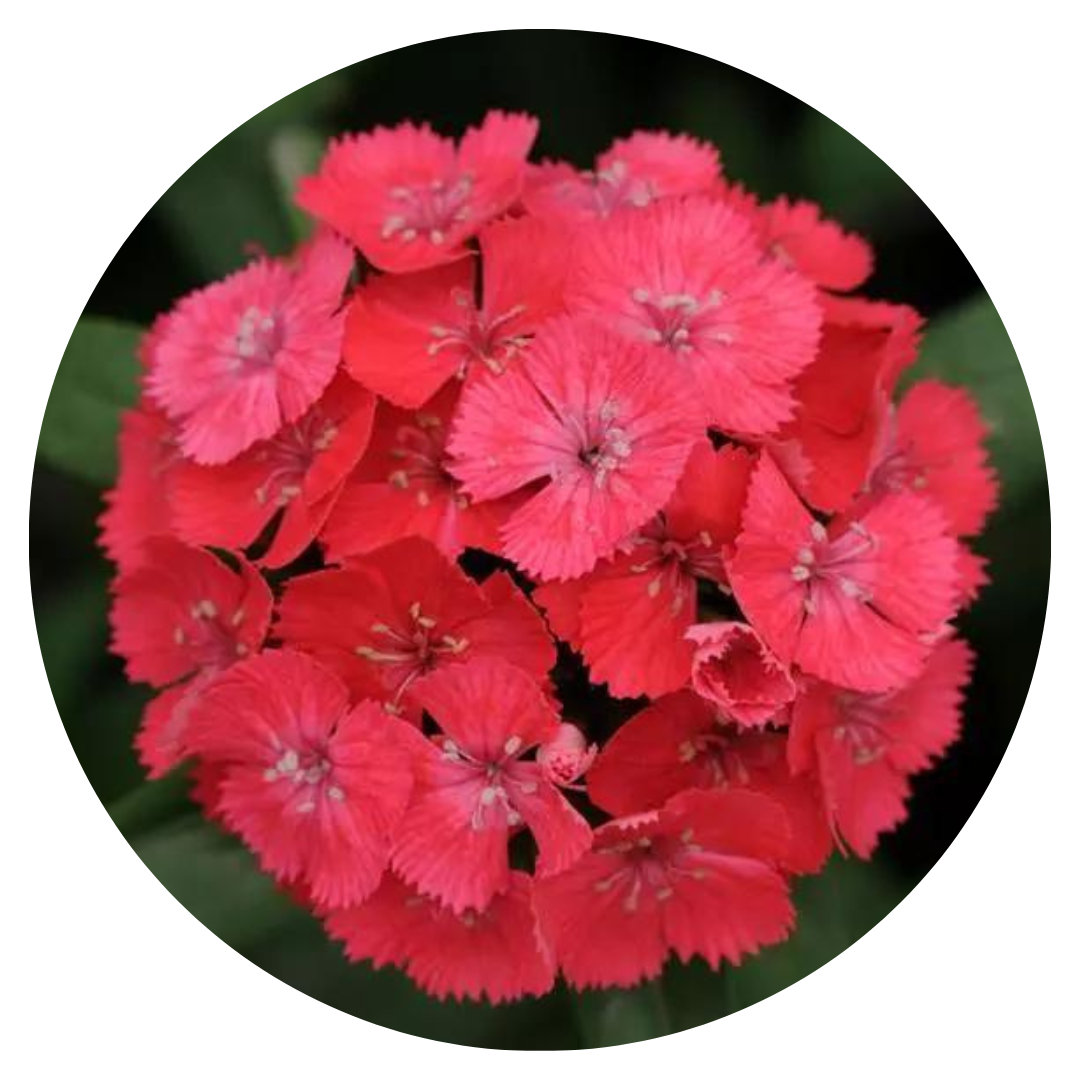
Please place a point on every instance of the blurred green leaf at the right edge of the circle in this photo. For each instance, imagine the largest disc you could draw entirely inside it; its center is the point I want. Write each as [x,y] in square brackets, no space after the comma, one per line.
[969,346]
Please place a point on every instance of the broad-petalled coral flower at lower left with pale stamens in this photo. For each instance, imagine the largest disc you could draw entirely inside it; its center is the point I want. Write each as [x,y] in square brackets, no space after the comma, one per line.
[315,787]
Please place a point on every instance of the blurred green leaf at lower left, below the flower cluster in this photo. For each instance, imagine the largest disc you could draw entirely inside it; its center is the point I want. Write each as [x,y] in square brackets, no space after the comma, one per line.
[217,881]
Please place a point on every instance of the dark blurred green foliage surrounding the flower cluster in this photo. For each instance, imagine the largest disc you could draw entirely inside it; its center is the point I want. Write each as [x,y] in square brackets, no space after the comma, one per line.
[587,90]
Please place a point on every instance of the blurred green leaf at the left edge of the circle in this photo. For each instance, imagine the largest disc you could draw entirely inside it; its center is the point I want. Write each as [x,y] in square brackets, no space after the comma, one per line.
[98,380]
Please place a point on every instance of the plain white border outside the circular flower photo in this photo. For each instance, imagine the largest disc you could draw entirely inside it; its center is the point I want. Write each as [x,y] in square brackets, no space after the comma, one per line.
[105,104]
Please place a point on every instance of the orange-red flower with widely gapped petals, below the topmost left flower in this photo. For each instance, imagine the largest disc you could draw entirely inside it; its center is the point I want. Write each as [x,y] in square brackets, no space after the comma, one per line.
[409,335]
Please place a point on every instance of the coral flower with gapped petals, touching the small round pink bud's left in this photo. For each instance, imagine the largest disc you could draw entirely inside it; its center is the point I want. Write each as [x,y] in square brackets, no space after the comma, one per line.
[474,789]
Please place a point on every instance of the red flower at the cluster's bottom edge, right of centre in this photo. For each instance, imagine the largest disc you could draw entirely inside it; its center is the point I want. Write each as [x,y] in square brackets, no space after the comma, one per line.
[696,879]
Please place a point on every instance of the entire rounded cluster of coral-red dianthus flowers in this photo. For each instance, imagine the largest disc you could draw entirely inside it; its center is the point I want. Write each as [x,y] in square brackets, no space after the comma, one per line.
[401,518]
